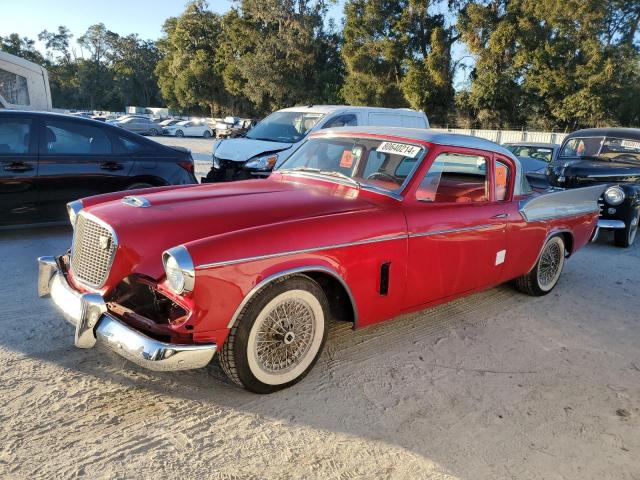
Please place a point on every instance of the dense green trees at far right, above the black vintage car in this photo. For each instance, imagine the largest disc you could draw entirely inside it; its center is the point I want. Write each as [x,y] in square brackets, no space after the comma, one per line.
[553,63]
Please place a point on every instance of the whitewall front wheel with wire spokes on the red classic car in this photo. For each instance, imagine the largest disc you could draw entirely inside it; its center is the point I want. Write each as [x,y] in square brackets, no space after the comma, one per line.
[278,336]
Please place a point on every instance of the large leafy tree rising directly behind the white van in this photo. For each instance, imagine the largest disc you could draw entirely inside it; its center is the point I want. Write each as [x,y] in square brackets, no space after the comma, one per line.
[279,53]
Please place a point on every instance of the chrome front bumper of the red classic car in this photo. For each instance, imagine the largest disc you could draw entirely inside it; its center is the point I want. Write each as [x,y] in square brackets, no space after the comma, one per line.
[94,324]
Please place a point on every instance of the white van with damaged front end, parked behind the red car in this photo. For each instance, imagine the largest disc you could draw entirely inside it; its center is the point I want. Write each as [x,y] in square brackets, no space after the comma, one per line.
[271,141]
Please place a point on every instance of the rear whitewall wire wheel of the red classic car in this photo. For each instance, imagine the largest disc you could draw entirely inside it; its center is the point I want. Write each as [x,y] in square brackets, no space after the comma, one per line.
[546,273]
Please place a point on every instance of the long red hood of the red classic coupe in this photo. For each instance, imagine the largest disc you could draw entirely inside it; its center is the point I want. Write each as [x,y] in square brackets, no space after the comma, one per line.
[186,214]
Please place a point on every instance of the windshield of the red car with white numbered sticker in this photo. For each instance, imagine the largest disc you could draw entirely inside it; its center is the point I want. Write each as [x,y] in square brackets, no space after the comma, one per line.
[377,164]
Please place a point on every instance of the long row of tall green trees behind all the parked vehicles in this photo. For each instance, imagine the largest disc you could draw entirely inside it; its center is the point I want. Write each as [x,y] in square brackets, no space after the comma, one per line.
[549,64]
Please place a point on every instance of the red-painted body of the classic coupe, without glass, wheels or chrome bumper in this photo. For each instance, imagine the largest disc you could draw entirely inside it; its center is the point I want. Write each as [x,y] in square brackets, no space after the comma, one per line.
[285,213]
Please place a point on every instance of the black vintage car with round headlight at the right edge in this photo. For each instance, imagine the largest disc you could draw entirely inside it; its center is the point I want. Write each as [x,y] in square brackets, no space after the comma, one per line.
[604,156]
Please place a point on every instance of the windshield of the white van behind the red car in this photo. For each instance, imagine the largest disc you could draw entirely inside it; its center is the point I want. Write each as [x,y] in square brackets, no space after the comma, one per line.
[287,127]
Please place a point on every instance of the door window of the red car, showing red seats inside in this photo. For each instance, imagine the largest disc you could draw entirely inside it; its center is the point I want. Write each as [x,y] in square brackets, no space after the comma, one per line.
[455,177]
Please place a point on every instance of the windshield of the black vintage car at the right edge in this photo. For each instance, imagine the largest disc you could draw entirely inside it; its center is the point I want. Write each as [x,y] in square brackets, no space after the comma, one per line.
[602,148]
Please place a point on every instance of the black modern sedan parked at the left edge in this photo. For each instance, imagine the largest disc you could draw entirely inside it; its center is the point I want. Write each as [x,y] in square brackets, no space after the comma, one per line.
[47,160]
